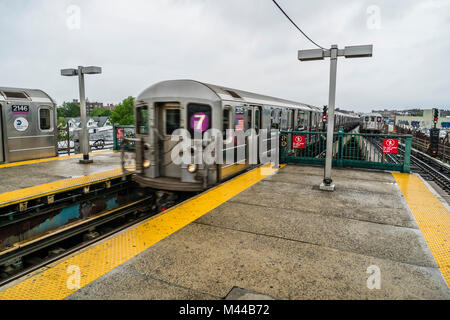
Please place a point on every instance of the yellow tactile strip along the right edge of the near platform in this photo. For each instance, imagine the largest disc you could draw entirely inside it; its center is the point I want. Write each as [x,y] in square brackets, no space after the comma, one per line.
[432,217]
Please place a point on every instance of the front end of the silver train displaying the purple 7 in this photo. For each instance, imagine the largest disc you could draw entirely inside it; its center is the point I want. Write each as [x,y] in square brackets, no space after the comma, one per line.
[161,111]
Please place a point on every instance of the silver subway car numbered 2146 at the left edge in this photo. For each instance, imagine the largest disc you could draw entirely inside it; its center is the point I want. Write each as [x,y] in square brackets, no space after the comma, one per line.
[27,125]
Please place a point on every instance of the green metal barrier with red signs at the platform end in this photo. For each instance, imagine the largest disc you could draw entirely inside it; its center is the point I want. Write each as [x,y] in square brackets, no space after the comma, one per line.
[356,150]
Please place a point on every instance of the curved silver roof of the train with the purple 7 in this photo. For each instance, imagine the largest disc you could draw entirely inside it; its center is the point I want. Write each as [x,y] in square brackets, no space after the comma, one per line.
[197,89]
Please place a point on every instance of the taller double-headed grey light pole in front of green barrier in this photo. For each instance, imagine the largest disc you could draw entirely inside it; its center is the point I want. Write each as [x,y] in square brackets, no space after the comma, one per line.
[333,54]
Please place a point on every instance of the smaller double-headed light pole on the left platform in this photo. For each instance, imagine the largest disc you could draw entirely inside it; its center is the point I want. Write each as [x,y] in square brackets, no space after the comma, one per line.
[80,72]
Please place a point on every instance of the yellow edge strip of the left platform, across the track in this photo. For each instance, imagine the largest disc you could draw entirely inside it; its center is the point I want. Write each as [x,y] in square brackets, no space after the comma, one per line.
[25,194]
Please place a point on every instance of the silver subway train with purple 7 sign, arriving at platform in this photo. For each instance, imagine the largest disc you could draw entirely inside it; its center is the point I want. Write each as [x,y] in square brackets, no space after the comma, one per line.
[201,112]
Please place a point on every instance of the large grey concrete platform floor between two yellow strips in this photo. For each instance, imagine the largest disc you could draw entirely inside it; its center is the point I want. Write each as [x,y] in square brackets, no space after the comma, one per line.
[283,238]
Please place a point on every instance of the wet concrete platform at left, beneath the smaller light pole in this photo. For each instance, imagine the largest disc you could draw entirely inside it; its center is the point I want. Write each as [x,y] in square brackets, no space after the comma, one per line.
[16,176]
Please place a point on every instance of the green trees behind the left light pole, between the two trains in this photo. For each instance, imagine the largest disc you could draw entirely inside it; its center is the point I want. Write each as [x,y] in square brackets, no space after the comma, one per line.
[122,114]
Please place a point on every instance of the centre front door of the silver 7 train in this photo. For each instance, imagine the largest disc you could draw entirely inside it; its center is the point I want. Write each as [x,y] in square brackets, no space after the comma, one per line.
[168,122]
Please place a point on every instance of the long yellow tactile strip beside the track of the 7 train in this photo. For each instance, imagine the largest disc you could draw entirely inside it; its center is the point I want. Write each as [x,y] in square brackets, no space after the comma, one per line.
[78,271]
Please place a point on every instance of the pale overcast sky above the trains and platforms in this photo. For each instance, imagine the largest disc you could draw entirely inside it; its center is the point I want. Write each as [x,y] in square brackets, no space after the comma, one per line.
[243,44]
